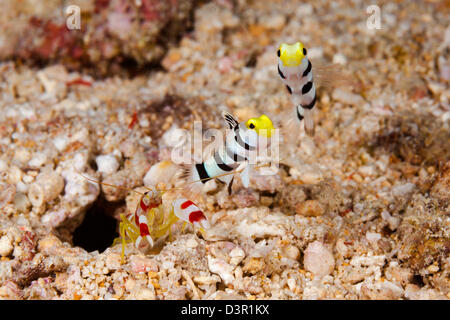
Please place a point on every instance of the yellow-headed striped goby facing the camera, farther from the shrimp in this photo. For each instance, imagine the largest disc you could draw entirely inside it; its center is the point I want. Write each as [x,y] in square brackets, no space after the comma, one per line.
[295,70]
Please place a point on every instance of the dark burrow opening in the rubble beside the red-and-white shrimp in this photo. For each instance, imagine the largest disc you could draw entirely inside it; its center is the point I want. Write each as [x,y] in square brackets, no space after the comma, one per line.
[99,228]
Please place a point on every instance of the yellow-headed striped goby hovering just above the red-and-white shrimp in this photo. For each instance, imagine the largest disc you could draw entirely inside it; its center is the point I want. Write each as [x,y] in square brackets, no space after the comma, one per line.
[241,140]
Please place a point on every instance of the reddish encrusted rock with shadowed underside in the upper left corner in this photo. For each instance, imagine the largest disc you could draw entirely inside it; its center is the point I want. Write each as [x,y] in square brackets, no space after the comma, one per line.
[105,36]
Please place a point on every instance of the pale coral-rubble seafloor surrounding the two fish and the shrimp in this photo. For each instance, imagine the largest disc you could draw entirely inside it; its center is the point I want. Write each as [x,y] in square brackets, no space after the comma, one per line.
[359,211]
